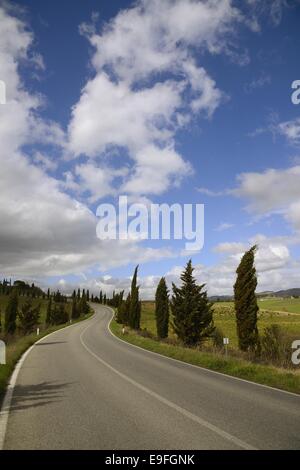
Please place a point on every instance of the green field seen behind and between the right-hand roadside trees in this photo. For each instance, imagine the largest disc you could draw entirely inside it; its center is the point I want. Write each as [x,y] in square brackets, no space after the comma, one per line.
[224,317]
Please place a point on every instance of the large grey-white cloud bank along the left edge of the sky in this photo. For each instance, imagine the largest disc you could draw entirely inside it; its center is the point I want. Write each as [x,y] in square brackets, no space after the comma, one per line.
[44,231]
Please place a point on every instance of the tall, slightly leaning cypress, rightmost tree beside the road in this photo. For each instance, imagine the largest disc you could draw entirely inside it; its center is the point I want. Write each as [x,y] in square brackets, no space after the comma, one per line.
[245,302]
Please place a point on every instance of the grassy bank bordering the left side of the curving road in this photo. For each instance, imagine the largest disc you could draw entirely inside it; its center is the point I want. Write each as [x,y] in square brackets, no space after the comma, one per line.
[18,345]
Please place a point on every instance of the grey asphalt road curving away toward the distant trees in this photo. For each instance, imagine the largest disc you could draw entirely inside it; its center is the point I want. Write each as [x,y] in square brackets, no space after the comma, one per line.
[81,388]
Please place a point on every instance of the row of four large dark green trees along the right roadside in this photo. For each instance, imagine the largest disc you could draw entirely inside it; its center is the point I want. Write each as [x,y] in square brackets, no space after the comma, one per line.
[192,312]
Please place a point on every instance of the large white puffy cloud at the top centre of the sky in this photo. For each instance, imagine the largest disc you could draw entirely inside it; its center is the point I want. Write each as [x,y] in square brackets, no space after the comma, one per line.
[140,96]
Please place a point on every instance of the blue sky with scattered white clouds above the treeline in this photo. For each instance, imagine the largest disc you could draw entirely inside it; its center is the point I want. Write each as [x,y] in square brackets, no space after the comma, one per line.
[180,101]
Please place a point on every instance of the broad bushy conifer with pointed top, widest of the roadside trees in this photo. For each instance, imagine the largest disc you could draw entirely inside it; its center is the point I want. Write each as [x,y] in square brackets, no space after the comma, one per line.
[192,312]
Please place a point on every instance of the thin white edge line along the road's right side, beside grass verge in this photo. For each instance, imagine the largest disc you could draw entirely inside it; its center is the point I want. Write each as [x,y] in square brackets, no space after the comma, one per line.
[211,371]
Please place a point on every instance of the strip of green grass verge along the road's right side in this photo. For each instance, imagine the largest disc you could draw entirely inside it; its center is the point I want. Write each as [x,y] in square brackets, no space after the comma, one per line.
[262,374]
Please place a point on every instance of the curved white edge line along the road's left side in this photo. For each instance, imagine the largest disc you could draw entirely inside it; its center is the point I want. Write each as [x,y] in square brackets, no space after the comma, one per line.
[6,404]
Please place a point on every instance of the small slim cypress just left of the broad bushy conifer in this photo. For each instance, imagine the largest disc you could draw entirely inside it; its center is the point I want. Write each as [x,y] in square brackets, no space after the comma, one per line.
[162,309]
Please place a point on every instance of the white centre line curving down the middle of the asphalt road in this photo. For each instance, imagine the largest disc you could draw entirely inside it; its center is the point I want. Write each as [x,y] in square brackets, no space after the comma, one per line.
[225,435]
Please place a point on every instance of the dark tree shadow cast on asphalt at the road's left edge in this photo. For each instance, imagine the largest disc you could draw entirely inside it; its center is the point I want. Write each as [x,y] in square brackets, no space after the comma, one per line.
[33,396]
